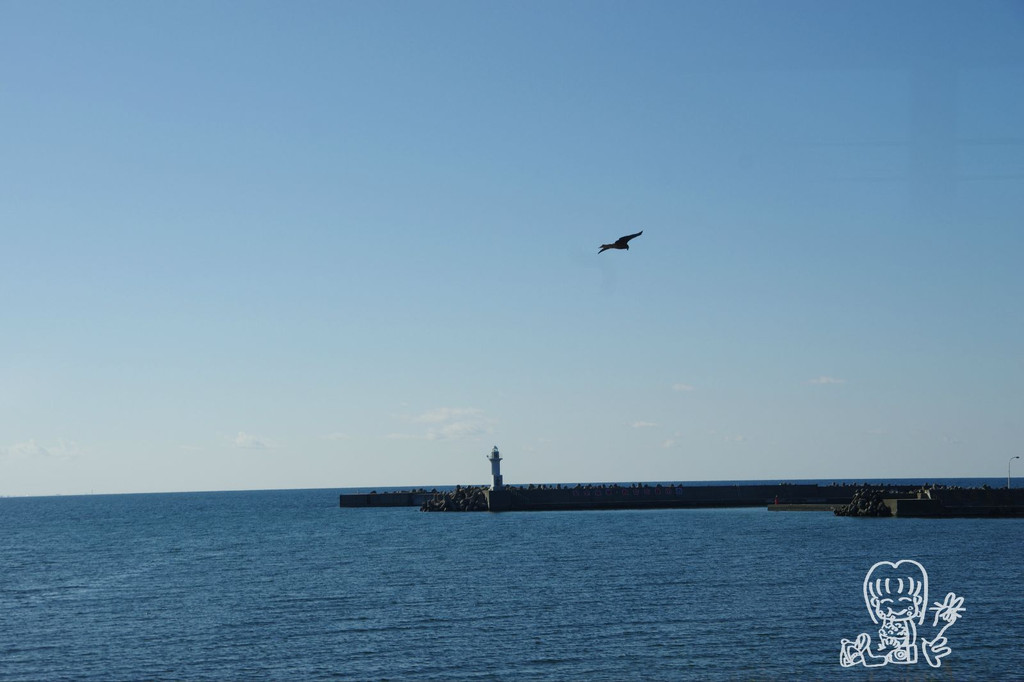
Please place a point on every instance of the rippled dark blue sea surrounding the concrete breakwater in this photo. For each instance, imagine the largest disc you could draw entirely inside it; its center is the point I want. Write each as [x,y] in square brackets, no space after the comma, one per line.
[285,585]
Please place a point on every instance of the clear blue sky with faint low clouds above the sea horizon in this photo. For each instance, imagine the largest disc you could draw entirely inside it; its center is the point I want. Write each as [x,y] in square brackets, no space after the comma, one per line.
[282,245]
